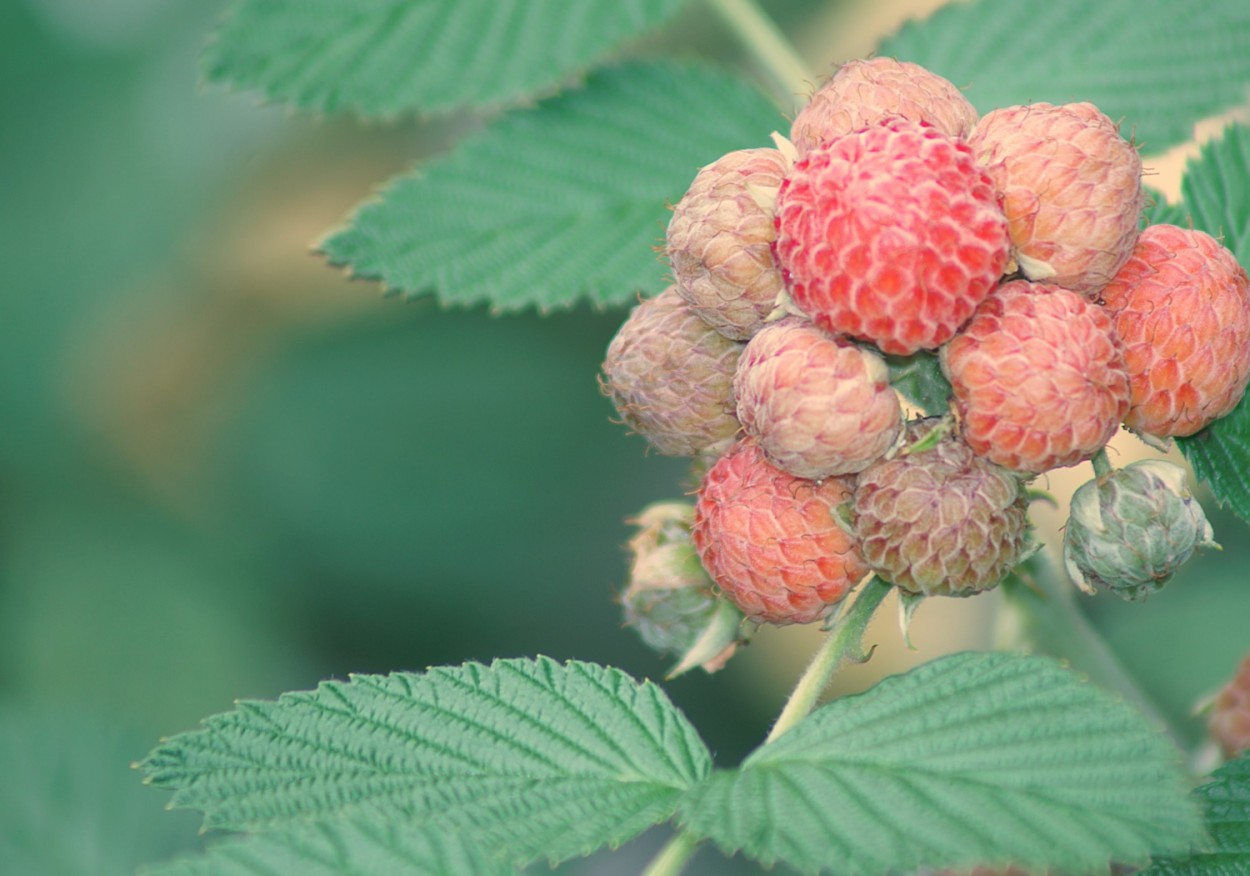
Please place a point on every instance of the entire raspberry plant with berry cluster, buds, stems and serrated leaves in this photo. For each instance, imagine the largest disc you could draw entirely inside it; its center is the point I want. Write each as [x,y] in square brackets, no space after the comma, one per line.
[892,312]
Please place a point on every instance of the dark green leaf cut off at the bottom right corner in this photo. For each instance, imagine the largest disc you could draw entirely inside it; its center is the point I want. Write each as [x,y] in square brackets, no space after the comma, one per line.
[1226,803]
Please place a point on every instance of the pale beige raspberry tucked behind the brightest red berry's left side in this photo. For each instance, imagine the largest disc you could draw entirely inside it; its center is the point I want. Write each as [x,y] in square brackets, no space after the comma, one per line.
[721,242]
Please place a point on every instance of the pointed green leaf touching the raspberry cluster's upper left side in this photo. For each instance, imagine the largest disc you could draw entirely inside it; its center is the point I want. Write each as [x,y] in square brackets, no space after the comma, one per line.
[562,202]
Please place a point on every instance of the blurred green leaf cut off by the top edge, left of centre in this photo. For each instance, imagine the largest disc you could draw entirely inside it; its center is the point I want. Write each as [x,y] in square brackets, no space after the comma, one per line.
[387,57]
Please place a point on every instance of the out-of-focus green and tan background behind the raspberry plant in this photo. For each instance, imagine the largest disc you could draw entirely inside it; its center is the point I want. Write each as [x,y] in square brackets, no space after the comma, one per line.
[228,472]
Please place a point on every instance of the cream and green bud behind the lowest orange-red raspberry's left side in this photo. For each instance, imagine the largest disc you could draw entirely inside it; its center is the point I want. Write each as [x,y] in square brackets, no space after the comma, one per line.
[671,599]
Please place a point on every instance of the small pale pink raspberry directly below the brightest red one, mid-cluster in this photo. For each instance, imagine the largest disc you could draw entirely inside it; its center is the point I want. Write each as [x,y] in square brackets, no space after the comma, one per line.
[818,406]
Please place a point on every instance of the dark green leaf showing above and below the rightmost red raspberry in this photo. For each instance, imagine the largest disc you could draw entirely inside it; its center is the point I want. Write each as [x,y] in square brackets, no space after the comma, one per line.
[1217,196]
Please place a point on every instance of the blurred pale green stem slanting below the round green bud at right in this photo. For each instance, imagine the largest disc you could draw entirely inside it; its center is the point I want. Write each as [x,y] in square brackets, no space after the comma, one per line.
[1047,619]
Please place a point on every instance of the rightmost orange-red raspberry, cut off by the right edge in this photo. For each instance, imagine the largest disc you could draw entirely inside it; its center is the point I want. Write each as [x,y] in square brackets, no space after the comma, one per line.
[1182,308]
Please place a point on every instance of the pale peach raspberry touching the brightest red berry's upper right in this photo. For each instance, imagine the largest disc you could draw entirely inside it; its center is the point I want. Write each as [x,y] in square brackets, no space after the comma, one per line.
[1072,191]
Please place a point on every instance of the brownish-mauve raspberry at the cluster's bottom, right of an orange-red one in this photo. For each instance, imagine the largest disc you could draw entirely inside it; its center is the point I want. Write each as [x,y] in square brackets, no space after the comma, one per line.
[941,522]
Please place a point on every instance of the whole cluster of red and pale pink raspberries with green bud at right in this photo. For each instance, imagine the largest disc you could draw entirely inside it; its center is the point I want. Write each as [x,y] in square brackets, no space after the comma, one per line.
[892,227]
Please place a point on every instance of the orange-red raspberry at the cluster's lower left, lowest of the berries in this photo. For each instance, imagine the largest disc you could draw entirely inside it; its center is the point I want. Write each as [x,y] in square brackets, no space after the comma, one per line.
[771,540]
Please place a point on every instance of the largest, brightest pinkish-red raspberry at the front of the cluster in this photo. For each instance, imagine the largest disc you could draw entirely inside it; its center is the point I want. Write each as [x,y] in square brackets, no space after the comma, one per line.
[892,234]
